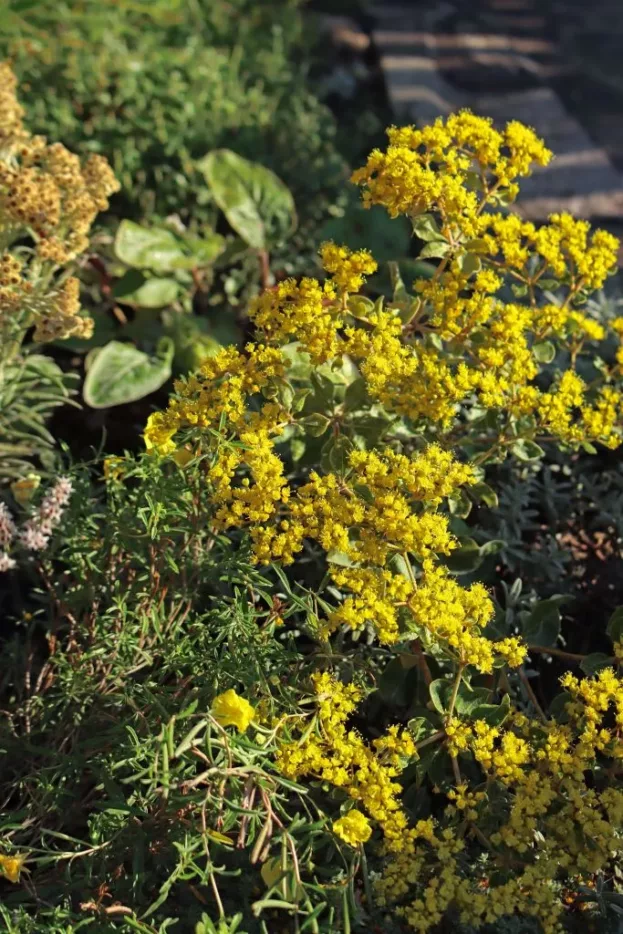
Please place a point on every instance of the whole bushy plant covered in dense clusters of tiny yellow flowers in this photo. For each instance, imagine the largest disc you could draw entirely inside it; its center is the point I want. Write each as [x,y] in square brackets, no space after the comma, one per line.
[342,432]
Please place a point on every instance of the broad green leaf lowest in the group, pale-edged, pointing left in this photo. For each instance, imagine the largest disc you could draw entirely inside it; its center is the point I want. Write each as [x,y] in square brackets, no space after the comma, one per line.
[121,373]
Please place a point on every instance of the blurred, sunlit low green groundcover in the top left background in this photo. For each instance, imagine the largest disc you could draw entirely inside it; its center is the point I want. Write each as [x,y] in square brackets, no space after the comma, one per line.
[156,86]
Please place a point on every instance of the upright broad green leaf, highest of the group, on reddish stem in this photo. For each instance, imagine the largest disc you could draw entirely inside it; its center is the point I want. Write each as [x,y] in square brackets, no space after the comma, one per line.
[256,203]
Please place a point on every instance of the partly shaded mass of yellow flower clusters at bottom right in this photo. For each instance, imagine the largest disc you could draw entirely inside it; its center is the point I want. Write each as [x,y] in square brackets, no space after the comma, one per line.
[425,858]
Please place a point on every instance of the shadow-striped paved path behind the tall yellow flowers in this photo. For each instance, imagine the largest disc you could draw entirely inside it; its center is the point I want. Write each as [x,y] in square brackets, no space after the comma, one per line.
[512,59]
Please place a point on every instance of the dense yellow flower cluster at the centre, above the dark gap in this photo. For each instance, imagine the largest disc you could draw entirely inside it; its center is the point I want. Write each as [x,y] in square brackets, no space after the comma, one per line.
[384,507]
